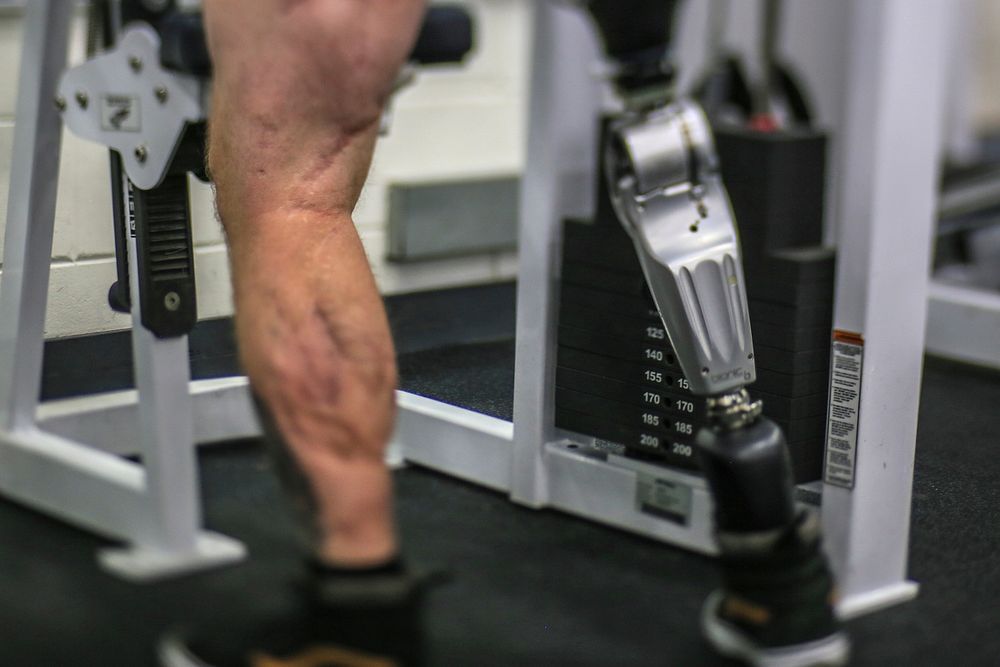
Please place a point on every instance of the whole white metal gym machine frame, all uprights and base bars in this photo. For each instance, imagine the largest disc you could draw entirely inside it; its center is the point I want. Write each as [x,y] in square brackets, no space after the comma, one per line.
[886,212]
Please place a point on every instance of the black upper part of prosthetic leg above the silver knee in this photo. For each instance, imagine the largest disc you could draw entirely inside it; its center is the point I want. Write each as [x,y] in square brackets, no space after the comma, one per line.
[637,34]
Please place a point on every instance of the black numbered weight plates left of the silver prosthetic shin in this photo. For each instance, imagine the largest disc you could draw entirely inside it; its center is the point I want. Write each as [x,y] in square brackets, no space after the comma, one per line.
[617,379]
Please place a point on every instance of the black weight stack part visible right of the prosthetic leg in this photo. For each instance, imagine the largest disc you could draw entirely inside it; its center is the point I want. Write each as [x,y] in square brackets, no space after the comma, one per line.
[775,182]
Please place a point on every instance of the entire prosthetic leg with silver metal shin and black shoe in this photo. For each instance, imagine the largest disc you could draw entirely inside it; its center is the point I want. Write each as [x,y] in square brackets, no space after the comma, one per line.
[776,603]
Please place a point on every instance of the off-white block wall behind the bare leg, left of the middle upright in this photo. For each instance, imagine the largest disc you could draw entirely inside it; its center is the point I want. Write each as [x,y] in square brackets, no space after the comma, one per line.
[454,123]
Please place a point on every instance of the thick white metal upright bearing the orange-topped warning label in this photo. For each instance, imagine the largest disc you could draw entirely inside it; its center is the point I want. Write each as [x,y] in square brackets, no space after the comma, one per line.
[892,142]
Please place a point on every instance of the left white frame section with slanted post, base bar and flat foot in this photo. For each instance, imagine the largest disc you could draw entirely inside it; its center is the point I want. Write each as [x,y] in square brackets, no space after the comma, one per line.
[139,504]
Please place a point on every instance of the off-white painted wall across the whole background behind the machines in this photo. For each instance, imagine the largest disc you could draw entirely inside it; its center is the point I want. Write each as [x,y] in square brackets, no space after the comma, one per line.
[451,125]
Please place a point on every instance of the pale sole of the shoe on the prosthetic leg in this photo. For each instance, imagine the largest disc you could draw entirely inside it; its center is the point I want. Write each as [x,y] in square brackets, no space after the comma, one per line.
[730,641]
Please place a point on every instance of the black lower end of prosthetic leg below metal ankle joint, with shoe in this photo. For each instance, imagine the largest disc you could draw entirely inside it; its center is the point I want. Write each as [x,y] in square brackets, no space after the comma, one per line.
[777,588]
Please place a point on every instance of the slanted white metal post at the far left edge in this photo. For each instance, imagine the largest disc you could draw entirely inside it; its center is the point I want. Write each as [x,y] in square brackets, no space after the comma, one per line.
[31,211]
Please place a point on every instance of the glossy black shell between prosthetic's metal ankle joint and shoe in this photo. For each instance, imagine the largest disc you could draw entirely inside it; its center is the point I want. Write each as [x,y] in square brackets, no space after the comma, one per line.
[750,475]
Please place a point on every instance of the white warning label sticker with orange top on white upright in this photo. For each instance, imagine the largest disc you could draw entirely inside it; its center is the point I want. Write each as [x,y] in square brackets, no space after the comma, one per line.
[845,399]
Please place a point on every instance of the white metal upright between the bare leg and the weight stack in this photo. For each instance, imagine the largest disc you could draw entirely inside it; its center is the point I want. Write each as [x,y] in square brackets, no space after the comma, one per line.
[561,139]
